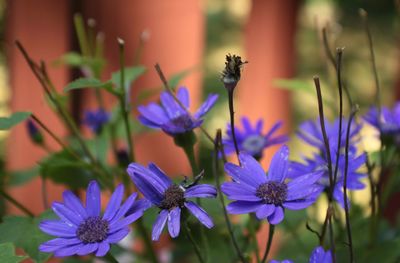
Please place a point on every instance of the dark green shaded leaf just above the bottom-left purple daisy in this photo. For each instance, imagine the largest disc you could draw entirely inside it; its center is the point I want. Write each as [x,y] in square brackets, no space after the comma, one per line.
[63,168]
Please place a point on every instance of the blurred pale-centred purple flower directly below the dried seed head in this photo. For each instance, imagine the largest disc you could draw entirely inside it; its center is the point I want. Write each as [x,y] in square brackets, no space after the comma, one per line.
[251,139]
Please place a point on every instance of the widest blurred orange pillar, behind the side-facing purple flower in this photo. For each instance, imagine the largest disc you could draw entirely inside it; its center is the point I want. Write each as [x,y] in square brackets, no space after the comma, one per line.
[176,42]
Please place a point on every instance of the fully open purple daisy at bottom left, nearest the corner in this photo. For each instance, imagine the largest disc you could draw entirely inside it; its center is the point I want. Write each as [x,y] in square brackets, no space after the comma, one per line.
[82,230]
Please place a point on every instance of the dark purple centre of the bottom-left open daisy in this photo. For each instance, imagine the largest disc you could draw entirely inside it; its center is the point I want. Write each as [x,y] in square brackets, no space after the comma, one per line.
[93,230]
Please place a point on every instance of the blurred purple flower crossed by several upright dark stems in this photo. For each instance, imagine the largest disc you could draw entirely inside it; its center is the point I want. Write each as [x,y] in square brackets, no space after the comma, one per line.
[319,160]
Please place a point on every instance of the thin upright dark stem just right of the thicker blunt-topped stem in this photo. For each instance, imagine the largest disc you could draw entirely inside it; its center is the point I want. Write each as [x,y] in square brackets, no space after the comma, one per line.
[339,53]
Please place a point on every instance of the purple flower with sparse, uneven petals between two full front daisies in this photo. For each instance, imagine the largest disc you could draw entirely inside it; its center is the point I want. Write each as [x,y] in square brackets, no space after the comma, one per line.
[171,198]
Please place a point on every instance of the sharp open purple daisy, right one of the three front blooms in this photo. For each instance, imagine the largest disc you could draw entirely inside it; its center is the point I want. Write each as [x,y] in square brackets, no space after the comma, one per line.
[268,195]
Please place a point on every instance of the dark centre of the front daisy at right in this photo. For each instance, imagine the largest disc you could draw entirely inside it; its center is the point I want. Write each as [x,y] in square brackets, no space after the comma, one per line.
[272,192]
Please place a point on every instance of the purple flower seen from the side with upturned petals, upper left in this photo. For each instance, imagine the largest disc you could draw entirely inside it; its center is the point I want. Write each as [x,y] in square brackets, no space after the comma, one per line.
[170,116]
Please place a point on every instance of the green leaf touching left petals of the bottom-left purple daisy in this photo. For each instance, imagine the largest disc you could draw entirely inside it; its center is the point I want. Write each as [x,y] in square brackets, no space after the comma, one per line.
[24,232]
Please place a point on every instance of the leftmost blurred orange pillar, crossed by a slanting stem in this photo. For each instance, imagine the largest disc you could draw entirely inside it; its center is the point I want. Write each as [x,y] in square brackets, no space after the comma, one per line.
[42,27]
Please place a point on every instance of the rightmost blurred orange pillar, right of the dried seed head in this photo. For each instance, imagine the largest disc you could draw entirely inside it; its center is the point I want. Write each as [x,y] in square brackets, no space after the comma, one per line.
[269,40]
